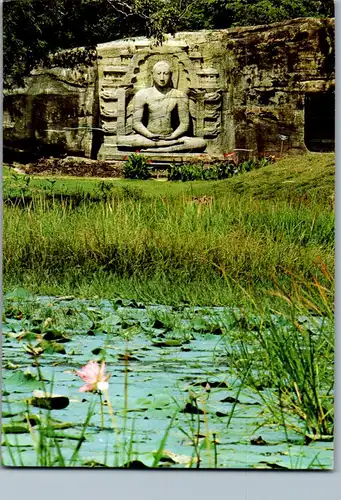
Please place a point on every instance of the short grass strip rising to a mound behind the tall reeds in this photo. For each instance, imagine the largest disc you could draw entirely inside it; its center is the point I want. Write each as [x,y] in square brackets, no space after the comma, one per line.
[305,175]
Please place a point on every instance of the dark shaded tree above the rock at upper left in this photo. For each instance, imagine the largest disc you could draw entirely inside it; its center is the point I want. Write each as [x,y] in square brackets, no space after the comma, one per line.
[35,29]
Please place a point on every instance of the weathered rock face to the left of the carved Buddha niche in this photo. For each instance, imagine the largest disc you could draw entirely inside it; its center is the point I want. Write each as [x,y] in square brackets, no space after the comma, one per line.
[55,113]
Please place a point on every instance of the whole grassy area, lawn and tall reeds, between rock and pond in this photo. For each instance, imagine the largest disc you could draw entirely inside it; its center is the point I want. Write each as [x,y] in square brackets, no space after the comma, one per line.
[155,241]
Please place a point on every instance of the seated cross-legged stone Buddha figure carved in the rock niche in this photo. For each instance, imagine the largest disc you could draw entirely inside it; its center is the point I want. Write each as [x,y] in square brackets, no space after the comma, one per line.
[159,103]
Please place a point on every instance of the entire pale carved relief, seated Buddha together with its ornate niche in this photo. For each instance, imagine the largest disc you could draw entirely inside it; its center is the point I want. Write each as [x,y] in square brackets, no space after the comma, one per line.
[178,111]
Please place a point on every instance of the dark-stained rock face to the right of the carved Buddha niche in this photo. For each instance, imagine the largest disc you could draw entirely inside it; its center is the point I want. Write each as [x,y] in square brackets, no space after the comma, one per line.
[274,72]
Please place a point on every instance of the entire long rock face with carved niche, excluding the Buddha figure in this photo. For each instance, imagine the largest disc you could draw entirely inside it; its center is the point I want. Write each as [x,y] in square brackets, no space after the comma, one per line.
[257,88]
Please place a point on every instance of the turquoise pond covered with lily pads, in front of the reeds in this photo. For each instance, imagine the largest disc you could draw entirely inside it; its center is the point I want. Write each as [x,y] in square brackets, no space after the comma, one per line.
[176,399]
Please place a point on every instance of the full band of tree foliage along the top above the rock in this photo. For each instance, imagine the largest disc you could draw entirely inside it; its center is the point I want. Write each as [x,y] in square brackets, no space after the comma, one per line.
[35,29]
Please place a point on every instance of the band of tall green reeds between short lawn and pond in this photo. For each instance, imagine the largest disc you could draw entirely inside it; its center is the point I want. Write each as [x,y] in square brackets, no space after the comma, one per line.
[178,240]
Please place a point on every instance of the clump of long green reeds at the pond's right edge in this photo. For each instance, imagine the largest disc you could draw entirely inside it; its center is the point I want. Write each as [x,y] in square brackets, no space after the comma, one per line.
[294,354]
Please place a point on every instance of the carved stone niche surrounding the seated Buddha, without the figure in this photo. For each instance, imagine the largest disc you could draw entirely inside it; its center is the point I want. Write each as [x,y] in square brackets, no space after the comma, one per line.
[119,84]
